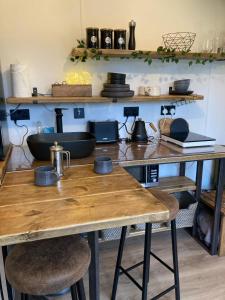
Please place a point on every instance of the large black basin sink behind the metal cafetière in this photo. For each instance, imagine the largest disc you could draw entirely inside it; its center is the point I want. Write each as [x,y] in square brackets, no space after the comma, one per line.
[80,144]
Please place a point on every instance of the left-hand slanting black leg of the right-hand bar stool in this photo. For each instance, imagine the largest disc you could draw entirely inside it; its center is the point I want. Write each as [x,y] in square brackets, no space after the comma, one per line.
[118,262]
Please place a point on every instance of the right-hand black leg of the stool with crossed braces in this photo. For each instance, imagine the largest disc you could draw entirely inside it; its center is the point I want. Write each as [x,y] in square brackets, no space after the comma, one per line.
[175,259]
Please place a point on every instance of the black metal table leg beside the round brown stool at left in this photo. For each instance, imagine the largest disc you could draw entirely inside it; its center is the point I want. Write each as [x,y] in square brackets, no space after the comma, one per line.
[94,290]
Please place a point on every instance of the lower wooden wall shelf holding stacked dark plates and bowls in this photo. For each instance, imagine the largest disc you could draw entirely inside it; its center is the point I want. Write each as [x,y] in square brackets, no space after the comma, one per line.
[98,99]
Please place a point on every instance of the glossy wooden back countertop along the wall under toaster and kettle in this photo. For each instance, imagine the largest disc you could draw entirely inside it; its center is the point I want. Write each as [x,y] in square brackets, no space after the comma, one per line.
[126,154]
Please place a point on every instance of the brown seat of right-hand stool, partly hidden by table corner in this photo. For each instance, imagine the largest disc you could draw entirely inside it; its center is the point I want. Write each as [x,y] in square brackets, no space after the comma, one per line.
[169,201]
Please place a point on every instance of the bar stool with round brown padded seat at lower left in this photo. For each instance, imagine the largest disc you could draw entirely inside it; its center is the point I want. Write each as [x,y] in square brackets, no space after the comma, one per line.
[49,267]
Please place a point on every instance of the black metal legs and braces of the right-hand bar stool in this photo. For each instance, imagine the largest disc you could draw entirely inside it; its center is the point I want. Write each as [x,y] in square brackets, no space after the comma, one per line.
[119,270]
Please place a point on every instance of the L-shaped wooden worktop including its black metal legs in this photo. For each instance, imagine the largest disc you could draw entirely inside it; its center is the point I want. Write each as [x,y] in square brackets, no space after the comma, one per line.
[75,186]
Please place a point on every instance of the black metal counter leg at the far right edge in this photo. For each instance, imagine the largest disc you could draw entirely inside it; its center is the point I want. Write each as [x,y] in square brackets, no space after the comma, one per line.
[218,204]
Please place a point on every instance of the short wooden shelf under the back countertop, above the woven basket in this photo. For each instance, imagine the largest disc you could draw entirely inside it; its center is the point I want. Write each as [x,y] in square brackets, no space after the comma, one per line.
[176,184]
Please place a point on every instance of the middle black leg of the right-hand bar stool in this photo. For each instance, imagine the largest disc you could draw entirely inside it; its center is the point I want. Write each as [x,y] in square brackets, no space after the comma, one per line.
[147,249]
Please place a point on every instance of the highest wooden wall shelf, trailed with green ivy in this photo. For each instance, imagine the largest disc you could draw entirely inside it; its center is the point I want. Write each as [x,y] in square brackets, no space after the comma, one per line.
[78,52]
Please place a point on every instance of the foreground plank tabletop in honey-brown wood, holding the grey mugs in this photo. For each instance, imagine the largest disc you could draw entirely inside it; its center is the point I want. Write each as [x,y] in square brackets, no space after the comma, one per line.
[82,201]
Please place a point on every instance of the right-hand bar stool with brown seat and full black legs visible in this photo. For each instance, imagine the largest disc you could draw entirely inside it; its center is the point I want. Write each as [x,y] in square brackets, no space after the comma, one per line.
[172,204]
